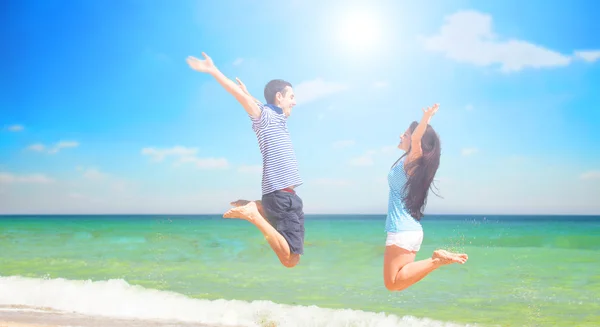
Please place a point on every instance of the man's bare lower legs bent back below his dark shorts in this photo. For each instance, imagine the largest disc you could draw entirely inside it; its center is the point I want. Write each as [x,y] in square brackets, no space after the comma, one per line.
[250,212]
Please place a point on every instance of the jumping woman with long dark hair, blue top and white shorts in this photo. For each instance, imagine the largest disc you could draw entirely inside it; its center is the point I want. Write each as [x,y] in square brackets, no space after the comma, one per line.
[409,180]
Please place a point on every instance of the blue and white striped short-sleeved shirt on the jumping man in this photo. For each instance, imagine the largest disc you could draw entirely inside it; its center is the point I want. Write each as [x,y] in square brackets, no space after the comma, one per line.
[280,168]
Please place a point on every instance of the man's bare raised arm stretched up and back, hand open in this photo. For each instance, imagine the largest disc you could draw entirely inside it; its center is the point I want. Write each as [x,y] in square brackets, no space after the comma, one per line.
[243,97]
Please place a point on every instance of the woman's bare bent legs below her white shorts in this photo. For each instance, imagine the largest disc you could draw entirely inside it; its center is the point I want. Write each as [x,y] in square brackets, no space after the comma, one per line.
[401,271]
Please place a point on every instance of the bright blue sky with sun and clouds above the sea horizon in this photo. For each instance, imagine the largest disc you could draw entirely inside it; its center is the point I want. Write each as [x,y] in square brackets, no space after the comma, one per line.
[101,114]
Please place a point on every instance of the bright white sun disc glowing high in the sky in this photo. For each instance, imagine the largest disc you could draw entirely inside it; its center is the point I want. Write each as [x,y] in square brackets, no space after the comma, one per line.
[360,29]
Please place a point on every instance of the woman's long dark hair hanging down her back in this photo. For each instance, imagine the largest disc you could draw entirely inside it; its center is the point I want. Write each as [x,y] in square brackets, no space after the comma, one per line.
[423,169]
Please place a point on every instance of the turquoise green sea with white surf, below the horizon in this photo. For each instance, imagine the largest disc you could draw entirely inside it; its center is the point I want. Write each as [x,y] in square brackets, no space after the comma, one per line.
[522,271]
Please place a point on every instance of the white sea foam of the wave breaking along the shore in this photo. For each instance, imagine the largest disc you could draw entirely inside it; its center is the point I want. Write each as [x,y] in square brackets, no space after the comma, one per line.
[116,298]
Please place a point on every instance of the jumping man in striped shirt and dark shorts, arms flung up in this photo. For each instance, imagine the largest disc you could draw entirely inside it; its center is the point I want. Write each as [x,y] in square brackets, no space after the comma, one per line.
[279,216]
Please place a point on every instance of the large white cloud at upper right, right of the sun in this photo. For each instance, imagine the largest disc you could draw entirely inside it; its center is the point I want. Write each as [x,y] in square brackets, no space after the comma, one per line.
[467,37]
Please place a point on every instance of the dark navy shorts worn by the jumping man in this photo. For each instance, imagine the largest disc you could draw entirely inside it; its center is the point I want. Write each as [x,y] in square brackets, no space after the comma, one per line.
[284,212]
